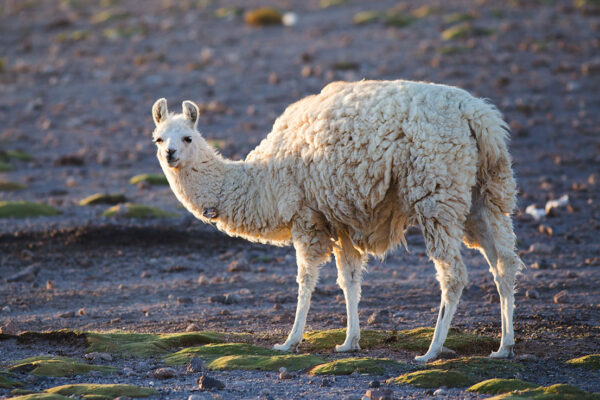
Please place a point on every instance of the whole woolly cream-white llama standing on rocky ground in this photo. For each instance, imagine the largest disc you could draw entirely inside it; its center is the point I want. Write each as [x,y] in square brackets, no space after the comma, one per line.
[346,172]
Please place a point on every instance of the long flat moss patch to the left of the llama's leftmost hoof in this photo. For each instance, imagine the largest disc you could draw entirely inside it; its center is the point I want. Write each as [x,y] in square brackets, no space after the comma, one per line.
[146,344]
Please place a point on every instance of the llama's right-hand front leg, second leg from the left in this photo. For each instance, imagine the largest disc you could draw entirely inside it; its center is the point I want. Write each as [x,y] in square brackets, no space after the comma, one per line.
[349,264]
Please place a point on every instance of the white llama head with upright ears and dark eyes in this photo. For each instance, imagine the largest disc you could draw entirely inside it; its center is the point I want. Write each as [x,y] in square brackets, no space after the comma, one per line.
[177,139]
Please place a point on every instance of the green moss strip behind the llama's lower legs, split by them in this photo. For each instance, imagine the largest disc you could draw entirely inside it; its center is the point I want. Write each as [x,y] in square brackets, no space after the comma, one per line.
[417,339]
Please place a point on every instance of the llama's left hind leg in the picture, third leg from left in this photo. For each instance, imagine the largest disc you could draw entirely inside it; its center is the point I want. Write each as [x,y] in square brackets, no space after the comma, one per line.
[443,247]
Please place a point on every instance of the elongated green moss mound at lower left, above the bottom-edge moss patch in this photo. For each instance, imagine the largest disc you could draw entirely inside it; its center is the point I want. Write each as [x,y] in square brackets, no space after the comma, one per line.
[56,366]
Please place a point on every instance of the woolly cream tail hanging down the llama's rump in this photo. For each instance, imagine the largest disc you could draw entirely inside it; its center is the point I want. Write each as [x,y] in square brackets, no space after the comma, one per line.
[494,173]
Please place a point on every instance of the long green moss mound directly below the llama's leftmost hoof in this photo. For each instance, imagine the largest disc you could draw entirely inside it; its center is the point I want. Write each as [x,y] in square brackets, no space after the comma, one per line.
[266,363]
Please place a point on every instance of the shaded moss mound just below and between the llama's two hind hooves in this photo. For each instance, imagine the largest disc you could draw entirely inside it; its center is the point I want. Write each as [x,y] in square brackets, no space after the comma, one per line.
[480,367]
